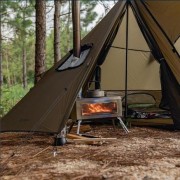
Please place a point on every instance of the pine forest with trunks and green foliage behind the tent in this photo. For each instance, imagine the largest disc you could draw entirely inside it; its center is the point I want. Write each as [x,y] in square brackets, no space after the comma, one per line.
[18,40]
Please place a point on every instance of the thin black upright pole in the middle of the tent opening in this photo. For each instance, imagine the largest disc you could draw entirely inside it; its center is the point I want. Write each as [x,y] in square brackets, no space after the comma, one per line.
[126,64]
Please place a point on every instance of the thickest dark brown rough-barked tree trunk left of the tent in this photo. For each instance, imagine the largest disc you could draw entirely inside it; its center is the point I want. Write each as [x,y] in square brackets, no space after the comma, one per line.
[40,45]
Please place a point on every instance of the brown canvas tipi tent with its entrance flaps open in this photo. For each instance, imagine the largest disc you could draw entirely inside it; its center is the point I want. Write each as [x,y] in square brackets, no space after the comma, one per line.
[153,63]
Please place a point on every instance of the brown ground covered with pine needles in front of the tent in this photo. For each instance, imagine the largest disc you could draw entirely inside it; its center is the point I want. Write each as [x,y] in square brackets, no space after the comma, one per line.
[145,153]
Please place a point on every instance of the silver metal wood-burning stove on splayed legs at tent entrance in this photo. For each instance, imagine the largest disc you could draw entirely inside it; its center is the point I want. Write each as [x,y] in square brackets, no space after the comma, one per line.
[96,108]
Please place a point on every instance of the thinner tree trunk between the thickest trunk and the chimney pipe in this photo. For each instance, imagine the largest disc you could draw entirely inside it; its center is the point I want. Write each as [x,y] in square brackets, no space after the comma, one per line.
[57,52]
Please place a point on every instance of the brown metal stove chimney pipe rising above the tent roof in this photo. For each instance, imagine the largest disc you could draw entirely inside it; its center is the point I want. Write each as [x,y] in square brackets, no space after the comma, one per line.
[76,28]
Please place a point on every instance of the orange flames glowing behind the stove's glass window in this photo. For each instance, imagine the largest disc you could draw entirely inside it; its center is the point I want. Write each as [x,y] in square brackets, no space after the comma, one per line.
[98,108]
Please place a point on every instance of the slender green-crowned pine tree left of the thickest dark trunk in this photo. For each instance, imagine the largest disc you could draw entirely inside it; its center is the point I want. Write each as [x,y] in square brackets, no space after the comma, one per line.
[21,23]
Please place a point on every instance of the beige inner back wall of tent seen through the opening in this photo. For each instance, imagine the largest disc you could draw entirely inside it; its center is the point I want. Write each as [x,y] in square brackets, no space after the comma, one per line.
[143,69]
